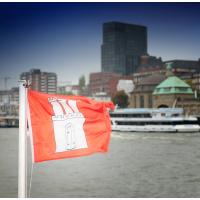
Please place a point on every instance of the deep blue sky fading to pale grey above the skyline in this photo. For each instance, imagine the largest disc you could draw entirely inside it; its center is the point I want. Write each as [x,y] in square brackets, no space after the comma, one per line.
[66,38]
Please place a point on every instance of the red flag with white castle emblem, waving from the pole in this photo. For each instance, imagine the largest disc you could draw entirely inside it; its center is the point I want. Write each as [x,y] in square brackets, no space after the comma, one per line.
[67,126]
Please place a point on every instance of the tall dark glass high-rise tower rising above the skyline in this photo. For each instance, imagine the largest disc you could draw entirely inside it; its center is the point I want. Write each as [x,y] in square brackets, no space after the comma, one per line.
[123,44]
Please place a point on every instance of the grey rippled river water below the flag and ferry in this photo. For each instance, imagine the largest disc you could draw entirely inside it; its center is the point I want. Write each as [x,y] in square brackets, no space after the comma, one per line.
[138,165]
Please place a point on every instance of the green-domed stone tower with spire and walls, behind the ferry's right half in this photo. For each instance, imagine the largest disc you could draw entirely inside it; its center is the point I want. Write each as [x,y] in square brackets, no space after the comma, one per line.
[174,92]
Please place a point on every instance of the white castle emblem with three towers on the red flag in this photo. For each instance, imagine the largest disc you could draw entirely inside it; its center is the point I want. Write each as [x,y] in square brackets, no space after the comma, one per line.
[68,125]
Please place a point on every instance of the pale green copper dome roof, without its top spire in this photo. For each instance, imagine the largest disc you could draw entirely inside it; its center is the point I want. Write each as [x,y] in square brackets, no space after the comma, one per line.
[173,85]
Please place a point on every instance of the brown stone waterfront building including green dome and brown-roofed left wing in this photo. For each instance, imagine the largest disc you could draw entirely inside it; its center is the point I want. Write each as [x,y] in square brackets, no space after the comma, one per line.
[164,89]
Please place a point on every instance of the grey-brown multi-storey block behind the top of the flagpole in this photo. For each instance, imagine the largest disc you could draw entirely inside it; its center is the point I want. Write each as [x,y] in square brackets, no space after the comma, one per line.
[41,81]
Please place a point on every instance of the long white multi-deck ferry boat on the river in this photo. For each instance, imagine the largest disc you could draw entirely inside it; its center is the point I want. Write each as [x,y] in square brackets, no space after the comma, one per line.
[153,120]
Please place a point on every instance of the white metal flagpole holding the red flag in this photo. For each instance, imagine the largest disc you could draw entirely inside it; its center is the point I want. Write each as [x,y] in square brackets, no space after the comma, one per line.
[22,165]
